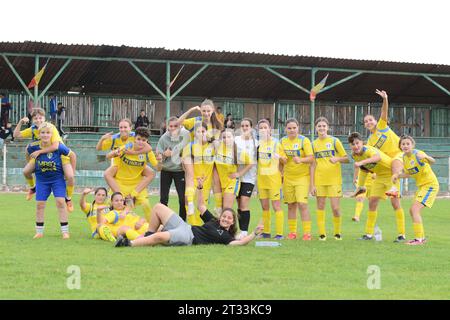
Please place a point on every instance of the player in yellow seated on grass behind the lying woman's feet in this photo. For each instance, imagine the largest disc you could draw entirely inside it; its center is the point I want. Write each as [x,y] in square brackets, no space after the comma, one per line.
[120,220]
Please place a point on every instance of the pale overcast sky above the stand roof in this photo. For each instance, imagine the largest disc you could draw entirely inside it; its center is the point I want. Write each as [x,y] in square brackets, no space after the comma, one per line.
[394,30]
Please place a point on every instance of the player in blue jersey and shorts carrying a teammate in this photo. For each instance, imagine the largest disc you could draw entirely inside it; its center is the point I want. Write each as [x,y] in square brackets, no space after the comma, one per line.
[49,178]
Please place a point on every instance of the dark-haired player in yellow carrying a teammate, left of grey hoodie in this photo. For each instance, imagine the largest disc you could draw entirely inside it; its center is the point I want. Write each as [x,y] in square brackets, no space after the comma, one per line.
[126,172]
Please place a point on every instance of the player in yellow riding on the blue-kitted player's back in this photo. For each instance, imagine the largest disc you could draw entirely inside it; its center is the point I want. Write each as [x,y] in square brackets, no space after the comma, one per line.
[69,164]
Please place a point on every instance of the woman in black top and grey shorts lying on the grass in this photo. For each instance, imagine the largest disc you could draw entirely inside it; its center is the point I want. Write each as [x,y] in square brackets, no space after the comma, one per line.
[177,232]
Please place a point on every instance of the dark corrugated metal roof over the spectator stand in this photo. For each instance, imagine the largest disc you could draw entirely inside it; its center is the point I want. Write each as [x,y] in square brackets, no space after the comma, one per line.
[115,77]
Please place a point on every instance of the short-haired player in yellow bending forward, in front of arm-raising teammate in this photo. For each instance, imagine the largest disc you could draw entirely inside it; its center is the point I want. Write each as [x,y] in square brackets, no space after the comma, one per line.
[369,159]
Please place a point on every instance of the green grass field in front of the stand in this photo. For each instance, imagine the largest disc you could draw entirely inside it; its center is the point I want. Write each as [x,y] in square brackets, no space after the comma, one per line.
[37,269]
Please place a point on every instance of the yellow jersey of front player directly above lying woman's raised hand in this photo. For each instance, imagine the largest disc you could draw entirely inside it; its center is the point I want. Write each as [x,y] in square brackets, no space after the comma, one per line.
[202,156]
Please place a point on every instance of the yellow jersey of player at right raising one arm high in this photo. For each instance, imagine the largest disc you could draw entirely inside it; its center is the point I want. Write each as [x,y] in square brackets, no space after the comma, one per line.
[384,139]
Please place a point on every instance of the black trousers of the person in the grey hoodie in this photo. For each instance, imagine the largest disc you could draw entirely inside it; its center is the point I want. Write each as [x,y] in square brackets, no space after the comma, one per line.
[166,182]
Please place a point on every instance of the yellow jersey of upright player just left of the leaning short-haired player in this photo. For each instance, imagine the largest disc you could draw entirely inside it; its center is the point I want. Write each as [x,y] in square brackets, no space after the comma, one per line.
[327,173]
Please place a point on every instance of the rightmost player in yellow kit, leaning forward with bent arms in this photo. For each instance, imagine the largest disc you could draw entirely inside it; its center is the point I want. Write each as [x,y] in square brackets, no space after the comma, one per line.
[417,166]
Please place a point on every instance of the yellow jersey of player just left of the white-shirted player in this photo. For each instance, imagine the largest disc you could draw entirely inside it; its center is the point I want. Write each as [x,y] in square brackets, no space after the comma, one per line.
[227,161]
